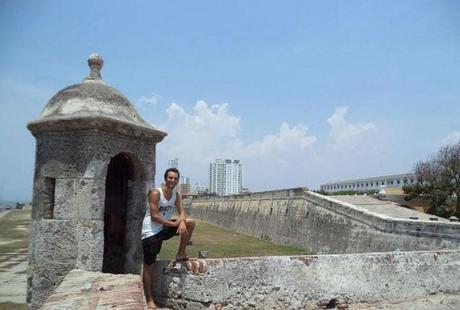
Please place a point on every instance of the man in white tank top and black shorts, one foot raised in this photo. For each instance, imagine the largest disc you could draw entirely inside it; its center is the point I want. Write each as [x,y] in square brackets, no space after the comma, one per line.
[158,226]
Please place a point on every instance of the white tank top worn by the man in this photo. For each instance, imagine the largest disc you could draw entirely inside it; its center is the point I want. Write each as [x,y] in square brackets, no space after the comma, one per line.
[166,209]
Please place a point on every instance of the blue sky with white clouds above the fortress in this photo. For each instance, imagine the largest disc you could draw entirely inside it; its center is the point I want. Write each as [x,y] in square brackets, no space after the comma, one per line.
[302,92]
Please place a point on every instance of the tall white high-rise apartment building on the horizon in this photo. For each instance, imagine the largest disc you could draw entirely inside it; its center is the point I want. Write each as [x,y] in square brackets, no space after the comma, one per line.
[225,177]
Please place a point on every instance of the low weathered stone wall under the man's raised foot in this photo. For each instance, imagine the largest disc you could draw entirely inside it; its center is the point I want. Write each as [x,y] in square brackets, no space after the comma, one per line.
[307,282]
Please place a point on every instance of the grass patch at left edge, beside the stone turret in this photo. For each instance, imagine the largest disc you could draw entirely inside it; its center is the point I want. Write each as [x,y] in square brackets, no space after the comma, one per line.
[14,229]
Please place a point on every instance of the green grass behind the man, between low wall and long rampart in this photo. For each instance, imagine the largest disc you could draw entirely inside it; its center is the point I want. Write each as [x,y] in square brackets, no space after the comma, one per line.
[225,243]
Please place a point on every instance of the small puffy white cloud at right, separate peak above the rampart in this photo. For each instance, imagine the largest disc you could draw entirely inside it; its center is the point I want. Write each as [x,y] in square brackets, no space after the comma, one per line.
[343,133]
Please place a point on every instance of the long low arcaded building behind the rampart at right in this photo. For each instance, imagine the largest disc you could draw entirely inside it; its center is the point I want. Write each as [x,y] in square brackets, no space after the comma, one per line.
[370,184]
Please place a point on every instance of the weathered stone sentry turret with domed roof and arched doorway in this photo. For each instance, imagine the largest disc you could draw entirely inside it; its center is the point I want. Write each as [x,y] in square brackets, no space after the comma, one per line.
[95,160]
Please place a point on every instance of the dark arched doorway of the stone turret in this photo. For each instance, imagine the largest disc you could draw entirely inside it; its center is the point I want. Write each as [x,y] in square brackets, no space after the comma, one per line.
[123,211]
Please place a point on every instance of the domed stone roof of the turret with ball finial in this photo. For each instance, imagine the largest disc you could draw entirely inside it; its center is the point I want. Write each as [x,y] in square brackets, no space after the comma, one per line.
[91,99]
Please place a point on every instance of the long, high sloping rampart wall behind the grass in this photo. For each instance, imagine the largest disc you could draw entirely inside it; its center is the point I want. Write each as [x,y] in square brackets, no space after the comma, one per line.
[322,224]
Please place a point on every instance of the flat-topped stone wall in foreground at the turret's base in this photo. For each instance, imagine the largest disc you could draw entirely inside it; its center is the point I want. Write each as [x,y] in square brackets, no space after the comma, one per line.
[95,290]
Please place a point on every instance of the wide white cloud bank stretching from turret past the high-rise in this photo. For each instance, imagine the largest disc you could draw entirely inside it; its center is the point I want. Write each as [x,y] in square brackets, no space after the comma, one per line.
[287,156]
